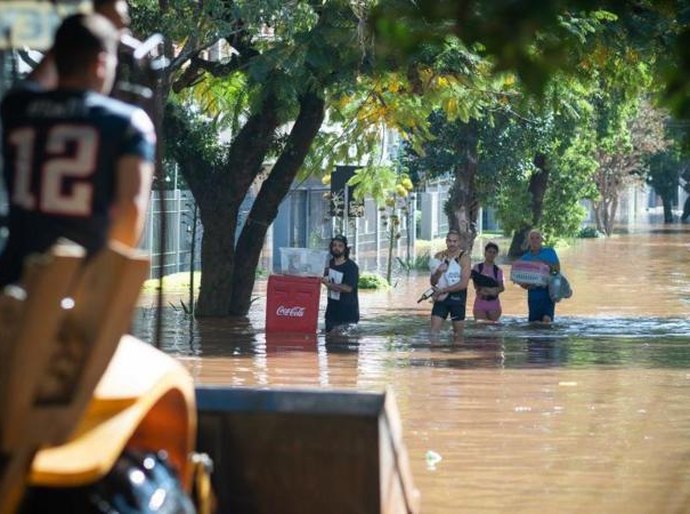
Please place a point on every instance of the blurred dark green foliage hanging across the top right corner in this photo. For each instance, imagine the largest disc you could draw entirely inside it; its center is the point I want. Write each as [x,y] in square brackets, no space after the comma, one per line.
[508,30]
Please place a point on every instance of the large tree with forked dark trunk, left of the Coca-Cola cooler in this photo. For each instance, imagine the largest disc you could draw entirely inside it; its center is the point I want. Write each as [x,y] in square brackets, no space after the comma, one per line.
[283,60]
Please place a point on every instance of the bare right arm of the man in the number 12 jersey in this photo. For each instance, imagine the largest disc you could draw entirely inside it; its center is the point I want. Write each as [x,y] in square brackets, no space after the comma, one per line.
[134,176]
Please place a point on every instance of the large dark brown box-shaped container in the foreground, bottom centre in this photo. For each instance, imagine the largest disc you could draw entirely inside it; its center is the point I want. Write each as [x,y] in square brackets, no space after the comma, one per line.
[305,451]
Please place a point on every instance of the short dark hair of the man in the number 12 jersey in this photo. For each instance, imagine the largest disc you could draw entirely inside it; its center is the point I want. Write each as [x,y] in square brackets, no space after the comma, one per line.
[80,39]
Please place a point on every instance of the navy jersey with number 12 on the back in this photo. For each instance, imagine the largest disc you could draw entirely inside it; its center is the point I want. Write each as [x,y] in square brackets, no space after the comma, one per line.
[60,152]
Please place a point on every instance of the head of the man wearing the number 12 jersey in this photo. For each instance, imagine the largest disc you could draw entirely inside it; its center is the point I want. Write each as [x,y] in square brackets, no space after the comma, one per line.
[86,52]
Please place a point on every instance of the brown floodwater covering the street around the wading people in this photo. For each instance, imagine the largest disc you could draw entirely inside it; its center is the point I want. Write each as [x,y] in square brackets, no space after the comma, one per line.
[589,415]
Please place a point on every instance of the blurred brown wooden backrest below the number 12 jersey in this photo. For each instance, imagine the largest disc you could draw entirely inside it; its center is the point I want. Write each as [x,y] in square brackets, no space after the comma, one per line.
[59,331]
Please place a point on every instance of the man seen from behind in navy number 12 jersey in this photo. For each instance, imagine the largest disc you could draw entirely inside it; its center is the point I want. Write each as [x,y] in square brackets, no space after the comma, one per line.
[77,164]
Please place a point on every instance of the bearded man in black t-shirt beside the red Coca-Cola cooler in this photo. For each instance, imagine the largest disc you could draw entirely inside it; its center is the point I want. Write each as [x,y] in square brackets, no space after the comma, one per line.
[341,278]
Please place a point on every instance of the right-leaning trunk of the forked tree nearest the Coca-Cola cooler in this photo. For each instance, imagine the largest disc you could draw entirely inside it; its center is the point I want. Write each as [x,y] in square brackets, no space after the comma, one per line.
[273,191]
